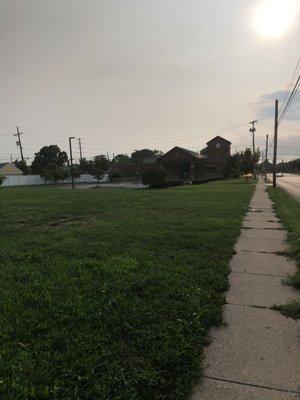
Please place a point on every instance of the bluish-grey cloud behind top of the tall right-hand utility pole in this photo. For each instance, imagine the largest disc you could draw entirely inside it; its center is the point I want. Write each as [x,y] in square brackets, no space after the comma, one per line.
[265,106]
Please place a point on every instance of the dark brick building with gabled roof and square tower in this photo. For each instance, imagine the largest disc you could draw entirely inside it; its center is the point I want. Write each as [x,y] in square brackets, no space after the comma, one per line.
[183,164]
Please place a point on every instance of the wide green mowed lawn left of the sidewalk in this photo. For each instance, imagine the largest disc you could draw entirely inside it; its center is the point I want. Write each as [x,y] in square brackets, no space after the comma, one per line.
[109,294]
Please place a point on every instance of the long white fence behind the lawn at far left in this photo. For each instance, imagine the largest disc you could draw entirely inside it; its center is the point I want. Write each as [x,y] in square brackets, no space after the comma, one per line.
[26,180]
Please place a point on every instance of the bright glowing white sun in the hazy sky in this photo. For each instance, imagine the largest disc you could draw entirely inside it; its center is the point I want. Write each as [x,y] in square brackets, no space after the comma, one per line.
[273,18]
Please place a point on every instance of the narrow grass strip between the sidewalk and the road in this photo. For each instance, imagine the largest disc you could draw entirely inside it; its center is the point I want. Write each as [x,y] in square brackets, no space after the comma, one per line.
[288,210]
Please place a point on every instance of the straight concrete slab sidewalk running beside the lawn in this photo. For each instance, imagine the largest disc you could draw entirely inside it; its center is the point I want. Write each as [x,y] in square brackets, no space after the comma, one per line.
[256,355]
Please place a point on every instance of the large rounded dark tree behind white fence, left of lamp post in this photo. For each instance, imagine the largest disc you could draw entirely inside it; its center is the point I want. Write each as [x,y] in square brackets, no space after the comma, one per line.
[49,157]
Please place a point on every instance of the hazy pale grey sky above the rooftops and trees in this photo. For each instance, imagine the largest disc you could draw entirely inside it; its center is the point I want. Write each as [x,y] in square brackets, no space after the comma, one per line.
[132,74]
